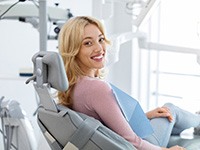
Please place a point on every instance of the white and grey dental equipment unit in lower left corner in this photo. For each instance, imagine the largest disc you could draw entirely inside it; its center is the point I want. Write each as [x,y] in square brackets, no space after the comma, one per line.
[16,129]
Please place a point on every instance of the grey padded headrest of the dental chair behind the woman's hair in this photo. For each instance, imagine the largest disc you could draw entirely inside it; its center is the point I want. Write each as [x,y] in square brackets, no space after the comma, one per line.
[55,71]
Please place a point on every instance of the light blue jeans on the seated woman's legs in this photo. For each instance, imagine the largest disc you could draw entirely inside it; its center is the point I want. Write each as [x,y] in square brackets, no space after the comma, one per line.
[163,129]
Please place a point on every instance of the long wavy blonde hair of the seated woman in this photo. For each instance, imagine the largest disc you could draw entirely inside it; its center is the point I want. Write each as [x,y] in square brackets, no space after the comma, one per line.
[70,40]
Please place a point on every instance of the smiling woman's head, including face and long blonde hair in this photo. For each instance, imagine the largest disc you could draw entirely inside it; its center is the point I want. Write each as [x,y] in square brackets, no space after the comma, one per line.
[81,39]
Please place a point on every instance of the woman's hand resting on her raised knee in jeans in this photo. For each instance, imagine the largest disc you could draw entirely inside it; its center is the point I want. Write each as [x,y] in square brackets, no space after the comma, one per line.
[160,112]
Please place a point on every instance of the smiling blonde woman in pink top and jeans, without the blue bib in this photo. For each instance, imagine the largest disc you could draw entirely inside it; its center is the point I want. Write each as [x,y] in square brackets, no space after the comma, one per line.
[82,44]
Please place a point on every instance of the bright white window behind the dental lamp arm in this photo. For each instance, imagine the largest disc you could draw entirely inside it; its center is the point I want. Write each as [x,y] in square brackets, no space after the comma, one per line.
[172,76]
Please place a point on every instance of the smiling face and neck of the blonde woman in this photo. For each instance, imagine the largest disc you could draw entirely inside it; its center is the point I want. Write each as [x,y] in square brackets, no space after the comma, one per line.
[92,52]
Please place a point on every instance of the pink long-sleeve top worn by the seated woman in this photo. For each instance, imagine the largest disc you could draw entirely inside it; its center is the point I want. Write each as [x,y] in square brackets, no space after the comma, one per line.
[95,98]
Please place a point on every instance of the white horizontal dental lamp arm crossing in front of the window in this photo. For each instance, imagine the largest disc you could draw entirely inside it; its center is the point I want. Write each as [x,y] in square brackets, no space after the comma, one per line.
[119,39]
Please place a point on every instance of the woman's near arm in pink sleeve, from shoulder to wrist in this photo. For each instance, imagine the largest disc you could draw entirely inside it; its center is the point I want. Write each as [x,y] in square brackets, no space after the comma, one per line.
[106,107]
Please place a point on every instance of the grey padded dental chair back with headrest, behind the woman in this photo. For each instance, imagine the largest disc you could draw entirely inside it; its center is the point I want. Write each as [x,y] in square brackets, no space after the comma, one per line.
[62,127]
